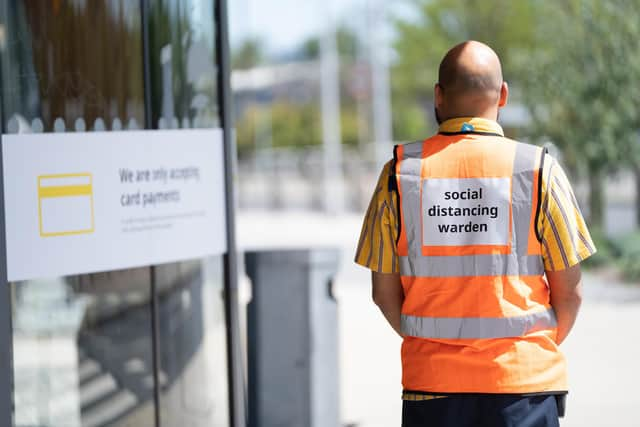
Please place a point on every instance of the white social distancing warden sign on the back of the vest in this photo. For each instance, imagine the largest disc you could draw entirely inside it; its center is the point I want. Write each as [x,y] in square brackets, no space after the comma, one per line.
[465,211]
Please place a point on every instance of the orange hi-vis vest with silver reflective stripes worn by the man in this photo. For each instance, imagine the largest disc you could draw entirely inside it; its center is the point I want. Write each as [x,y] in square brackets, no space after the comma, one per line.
[476,315]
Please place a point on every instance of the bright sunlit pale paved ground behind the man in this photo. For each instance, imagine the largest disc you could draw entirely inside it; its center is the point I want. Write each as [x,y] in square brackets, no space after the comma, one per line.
[603,350]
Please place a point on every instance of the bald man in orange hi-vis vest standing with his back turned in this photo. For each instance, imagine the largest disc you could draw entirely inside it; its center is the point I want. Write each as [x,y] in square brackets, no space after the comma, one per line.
[474,242]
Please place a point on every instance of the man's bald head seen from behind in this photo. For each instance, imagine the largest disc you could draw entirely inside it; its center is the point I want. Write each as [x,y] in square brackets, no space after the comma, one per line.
[470,82]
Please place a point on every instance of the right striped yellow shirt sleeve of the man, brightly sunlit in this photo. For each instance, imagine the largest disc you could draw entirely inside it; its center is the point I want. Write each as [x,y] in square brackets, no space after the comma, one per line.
[565,238]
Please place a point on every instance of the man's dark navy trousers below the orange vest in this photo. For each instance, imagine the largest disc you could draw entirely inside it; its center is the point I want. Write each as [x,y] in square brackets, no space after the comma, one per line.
[481,411]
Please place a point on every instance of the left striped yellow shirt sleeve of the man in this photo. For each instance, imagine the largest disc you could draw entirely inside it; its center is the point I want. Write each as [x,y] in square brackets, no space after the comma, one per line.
[377,244]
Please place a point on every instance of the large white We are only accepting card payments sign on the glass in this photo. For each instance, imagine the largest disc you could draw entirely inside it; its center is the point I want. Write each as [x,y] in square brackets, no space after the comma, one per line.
[97,201]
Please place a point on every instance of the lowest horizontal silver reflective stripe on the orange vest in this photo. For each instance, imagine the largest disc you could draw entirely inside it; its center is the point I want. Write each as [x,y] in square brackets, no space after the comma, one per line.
[477,327]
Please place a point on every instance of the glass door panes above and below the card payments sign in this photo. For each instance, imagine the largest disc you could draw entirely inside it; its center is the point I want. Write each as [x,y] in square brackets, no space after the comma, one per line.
[127,347]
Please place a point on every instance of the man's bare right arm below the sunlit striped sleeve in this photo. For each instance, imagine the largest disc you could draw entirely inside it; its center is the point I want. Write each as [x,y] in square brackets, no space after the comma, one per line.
[566,297]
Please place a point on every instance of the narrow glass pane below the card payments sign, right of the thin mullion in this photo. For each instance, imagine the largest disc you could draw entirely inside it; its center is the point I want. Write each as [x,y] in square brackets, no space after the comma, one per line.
[192,344]
